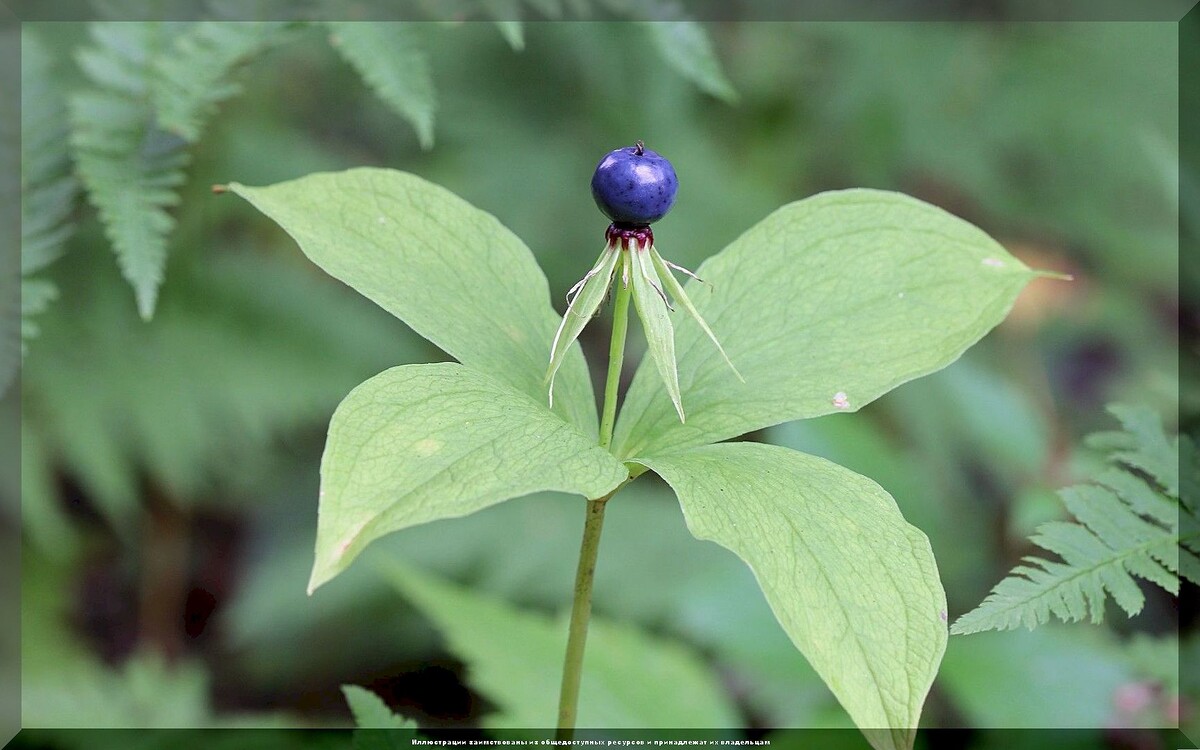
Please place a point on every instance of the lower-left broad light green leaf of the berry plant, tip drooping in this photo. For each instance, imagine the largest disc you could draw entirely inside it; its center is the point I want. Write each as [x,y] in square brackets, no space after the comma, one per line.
[418,443]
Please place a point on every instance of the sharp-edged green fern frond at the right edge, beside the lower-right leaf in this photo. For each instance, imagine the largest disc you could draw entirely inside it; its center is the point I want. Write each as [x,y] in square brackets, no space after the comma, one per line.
[1129,525]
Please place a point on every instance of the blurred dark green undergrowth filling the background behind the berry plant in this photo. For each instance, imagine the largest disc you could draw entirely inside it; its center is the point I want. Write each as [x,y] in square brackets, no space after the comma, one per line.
[1058,140]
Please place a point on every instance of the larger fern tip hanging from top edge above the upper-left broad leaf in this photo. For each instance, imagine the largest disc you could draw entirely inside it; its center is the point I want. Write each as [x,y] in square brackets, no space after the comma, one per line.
[391,58]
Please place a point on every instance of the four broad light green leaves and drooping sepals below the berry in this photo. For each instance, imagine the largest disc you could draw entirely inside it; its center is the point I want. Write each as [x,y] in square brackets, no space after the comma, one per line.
[825,305]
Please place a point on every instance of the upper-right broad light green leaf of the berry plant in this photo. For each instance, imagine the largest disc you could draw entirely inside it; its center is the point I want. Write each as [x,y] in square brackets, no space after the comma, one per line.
[824,307]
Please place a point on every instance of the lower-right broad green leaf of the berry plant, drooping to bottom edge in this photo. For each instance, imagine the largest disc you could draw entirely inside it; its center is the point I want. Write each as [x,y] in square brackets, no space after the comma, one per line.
[854,586]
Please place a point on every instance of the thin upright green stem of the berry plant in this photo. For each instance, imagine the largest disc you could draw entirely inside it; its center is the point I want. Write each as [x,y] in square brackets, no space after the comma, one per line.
[585,575]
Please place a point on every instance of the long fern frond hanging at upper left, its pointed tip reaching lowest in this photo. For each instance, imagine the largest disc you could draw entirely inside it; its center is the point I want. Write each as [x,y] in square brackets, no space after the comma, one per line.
[130,167]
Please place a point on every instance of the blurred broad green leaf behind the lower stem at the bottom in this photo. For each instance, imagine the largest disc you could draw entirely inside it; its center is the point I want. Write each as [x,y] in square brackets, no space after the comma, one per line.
[515,657]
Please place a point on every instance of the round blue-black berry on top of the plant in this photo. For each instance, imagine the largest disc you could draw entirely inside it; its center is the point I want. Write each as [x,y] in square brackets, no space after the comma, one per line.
[634,187]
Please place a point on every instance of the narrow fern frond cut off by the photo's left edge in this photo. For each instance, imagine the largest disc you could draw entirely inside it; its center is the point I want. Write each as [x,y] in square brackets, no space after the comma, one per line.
[47,188]
